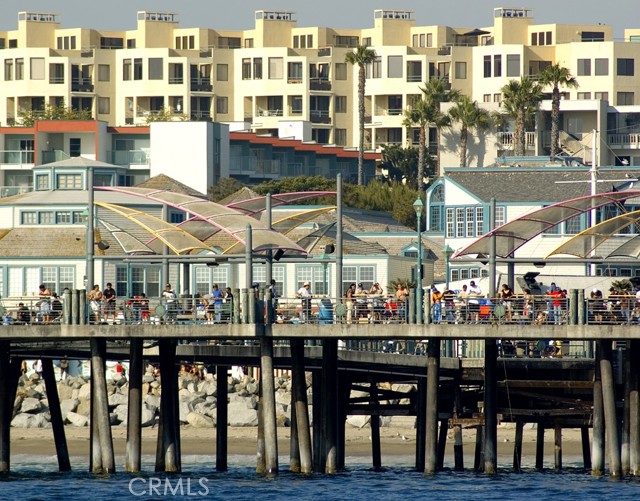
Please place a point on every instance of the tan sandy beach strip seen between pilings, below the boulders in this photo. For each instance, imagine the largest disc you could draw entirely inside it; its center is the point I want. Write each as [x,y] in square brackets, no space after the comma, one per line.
[394,441]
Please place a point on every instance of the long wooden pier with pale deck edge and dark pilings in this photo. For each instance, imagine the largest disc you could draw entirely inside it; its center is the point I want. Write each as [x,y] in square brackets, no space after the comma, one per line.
[583,389]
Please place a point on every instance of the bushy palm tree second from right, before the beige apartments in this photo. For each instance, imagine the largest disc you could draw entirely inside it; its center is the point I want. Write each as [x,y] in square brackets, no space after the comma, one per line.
[520,99]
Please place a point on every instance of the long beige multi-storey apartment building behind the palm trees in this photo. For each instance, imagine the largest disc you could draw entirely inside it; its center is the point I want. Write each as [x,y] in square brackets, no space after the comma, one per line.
[282,79]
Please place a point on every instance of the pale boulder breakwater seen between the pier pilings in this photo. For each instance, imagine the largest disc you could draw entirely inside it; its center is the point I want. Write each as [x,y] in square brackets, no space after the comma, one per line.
[198,401]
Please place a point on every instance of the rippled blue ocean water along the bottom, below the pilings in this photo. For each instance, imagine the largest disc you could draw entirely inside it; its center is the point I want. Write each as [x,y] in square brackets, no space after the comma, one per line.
[35,478]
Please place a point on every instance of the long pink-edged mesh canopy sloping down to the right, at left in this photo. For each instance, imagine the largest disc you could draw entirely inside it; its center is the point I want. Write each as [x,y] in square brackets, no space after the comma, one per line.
[216,216]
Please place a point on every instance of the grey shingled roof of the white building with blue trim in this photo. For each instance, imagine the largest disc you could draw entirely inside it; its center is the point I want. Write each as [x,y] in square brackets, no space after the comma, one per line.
[540,185]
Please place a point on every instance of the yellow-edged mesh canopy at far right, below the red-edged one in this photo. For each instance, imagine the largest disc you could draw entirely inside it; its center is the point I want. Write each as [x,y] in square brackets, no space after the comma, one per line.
[585,242]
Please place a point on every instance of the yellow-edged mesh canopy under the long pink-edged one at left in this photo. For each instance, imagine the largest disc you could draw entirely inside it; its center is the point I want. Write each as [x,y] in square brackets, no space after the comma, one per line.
[179,241]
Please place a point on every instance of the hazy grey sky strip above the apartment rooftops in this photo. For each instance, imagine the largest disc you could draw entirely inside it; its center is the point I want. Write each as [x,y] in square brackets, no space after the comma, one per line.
[217,14]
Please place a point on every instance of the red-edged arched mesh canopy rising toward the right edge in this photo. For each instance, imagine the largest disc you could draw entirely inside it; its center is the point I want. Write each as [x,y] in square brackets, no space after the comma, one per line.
[514,234]
